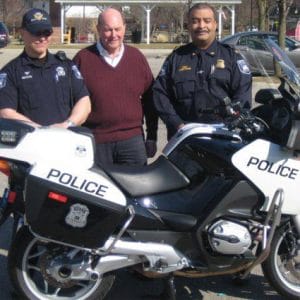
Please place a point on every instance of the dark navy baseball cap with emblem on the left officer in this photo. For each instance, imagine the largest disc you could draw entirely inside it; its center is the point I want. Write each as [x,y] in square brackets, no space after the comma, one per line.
[37,22]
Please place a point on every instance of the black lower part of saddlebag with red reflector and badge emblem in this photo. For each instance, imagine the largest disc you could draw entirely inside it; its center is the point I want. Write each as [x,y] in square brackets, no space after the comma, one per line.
[59,213]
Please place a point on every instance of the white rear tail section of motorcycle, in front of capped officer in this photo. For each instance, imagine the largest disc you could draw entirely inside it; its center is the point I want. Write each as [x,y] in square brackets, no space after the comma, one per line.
[50,144]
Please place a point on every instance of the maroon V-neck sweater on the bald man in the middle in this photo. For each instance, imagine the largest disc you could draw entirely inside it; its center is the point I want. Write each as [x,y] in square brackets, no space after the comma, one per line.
[119,95]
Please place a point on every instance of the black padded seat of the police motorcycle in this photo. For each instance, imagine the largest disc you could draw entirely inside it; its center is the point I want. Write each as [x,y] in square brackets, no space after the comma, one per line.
[158,177]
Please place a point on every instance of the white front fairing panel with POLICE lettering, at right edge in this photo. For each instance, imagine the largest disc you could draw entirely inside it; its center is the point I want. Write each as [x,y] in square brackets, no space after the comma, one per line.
[269,167]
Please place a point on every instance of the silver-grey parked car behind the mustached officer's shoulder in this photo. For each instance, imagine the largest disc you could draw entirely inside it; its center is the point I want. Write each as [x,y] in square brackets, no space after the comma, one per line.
[251,45]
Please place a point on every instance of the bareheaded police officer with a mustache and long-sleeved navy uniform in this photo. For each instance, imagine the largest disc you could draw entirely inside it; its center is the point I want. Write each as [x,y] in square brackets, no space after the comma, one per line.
[198,80]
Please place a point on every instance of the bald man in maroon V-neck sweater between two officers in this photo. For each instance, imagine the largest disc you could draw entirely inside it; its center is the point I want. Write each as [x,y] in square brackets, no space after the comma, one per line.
[119,80]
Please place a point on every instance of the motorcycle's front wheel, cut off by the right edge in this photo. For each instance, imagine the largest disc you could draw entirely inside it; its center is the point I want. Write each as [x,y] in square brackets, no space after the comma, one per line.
[280,268]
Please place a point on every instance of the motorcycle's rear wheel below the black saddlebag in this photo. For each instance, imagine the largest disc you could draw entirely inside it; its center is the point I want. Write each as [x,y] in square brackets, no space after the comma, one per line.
[40,270]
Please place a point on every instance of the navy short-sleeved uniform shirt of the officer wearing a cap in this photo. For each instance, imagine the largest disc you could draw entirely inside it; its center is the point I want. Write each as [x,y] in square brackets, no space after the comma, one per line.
[43,92]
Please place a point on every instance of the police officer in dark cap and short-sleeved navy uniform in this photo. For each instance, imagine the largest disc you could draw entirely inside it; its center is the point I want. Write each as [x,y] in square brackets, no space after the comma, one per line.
[40,87]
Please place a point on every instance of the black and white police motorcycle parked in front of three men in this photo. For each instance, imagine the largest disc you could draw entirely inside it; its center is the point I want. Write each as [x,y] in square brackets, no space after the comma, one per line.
[221,199]
